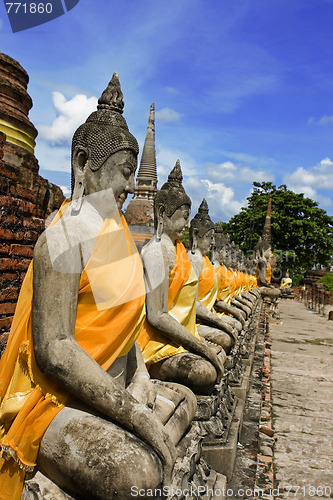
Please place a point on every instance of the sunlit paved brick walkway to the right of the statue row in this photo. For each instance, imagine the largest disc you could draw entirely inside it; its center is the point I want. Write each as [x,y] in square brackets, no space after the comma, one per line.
[302,400]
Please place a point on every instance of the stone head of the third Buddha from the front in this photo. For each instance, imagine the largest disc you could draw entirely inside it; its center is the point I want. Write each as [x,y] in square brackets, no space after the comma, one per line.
[202,230]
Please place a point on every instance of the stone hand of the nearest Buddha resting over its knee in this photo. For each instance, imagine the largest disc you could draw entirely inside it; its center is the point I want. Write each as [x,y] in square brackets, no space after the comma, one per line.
[149,428]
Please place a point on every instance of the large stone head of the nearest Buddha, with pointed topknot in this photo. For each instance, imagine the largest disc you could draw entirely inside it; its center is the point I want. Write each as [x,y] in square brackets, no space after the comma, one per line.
[104,152]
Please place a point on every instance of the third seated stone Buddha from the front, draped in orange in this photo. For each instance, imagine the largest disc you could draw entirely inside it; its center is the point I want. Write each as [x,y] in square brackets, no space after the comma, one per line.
[212,326]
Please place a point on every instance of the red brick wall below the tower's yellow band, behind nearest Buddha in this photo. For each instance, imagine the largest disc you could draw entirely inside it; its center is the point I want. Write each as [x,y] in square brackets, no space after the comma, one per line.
[26,199]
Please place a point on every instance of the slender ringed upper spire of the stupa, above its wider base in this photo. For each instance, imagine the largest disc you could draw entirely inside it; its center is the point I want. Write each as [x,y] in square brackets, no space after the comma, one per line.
[147,170]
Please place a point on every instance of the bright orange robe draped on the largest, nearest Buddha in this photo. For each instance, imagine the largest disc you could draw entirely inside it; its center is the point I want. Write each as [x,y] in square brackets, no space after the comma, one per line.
[105,330]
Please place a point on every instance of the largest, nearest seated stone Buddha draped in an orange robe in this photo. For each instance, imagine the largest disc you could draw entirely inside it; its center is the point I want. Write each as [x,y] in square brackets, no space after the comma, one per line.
[76,397]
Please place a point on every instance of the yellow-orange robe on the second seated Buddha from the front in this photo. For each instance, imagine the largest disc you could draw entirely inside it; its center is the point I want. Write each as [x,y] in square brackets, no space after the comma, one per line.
[183,287]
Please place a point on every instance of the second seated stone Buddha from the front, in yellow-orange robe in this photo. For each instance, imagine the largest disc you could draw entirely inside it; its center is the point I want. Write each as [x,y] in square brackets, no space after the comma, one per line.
[170,343]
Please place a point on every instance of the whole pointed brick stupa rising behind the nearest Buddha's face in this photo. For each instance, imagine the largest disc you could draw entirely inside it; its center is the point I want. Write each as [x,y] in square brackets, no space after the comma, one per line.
[140,211]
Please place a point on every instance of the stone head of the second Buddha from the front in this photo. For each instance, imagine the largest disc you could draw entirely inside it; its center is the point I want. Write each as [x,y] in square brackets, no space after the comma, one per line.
[172,207]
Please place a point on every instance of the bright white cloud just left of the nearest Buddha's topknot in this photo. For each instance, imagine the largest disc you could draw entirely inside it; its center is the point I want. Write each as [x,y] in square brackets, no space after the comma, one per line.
[71,113]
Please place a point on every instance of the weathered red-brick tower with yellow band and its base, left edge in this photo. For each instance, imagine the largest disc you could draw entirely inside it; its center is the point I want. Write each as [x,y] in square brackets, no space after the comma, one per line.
[26,199]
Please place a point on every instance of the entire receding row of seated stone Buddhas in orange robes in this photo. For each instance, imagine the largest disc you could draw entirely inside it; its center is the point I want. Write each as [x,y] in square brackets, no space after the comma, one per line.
[108,349]
